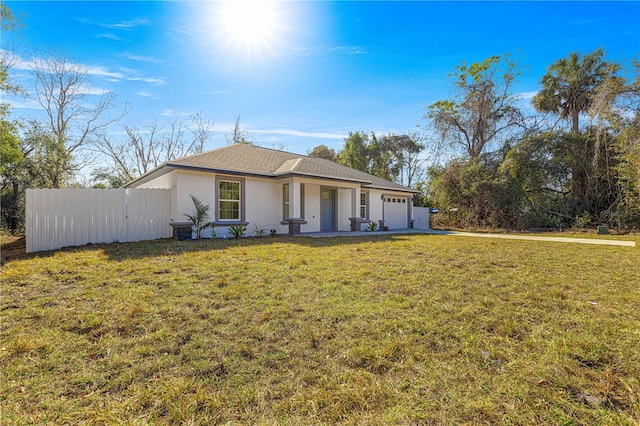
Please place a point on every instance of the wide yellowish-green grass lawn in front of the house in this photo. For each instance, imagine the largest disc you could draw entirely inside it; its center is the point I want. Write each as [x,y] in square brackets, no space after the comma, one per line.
[420,329]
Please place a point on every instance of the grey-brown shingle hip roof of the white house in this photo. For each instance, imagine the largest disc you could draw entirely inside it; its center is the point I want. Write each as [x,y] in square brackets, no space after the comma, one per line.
[253,160]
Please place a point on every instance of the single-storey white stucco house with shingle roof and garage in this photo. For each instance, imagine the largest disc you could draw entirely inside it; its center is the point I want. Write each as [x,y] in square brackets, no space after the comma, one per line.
[272,189]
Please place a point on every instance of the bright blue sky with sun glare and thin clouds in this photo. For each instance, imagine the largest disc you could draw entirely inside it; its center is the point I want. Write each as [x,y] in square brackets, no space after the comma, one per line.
[319,69]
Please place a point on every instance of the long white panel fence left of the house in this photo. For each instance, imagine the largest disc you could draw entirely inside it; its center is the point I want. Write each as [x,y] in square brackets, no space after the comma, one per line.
[58,218]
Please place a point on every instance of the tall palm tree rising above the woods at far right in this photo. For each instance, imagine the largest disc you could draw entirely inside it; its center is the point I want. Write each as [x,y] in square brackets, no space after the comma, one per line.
[569,85]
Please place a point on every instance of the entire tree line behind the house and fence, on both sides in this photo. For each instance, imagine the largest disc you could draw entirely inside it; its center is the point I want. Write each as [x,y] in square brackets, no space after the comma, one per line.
[483,157]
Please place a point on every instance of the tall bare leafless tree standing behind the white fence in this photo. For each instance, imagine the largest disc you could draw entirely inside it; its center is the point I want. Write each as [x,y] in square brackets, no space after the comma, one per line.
[61,89]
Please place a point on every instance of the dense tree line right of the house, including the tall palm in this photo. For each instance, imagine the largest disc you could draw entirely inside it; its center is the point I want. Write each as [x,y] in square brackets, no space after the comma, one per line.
[485,159]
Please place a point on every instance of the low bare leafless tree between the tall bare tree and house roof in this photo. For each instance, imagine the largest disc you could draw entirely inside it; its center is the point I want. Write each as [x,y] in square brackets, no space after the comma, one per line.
[150,146]
